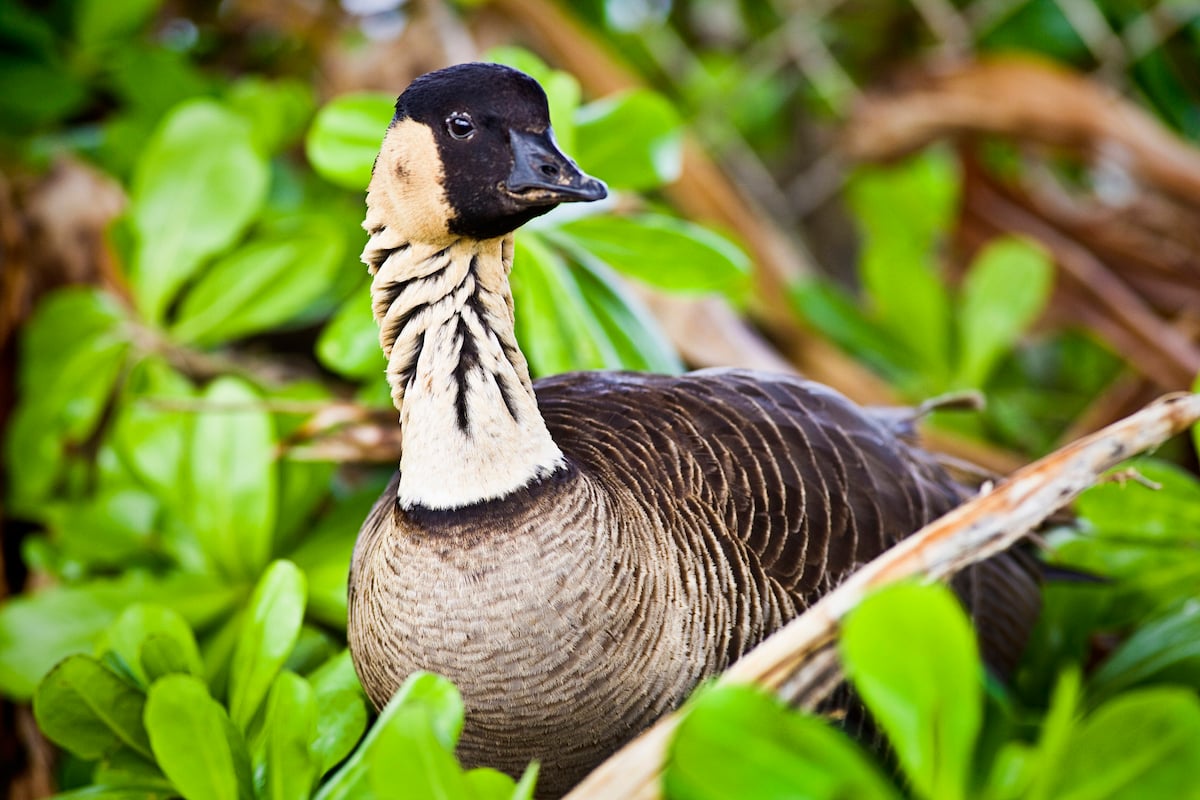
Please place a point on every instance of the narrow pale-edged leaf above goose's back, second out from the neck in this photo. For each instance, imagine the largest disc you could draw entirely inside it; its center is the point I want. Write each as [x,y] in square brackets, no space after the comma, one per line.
[629,326]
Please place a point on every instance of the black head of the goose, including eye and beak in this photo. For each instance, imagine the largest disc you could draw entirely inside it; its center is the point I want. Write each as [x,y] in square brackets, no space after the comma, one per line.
[500,164]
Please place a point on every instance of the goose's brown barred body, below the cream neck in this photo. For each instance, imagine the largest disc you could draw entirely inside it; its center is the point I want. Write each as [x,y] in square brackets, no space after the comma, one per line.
[695,516]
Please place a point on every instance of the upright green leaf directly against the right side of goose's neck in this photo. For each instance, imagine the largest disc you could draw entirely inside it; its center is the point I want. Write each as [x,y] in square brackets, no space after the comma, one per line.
[556,329]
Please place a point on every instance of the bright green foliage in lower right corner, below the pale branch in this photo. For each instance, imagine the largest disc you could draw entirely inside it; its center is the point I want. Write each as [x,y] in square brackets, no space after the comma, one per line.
[926,690]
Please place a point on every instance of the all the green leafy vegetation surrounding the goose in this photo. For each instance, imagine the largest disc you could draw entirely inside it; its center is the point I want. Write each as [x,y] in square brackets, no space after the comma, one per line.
[189,552]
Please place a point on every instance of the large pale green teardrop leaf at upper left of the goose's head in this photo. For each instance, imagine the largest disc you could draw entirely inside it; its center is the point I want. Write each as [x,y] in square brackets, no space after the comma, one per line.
[199,184]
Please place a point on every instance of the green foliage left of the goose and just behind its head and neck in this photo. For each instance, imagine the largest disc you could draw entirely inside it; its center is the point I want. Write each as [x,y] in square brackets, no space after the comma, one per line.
[193,642]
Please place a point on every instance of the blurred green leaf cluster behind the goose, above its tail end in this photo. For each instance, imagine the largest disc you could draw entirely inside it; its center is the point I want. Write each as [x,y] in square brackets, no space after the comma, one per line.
[928,339]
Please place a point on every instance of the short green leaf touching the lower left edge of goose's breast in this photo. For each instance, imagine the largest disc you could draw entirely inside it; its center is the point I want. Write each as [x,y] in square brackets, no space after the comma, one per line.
[341,712]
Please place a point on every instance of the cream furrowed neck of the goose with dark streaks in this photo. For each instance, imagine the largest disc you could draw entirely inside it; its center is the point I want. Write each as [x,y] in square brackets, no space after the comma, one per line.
[471,429]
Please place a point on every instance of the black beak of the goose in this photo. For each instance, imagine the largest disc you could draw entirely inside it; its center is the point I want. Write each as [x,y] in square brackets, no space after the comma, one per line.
[543,176]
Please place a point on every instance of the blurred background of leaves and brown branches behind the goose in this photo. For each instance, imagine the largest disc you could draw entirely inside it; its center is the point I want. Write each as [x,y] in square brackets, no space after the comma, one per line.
[902,199]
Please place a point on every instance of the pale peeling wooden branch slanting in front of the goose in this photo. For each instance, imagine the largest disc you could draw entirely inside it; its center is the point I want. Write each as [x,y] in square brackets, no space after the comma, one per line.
[971,533]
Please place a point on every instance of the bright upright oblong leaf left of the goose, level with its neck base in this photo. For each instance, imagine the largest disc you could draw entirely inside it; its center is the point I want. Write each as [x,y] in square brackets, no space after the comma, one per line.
[232,479]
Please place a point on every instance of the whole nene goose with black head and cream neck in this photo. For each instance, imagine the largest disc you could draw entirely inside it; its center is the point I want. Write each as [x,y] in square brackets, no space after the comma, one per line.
[577,555]
